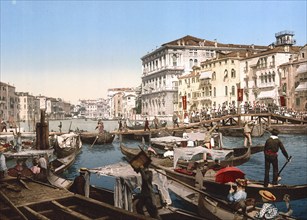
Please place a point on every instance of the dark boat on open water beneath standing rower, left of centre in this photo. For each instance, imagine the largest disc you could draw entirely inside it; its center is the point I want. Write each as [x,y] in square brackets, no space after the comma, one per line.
[96,138]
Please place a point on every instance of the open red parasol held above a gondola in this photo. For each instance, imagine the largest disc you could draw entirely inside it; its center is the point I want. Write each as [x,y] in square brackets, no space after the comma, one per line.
[228,174]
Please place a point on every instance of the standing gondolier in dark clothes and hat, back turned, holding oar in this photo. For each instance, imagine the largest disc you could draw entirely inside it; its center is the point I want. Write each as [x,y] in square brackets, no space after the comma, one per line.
[271,147]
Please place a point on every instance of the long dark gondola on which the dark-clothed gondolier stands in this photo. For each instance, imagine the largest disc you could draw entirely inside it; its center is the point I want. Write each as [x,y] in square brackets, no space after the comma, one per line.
[221,190]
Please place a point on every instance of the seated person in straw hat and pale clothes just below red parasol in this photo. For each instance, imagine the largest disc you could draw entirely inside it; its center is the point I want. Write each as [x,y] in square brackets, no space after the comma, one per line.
[238,197]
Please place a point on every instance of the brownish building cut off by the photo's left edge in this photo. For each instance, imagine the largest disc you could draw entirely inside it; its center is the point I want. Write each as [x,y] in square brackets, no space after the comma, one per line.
[8,104]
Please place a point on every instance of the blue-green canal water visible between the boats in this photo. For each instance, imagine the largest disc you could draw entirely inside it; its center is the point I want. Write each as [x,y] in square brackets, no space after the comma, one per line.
[99,155]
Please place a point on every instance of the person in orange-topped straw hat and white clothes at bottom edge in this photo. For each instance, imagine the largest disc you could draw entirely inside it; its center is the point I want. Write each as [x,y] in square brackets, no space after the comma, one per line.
[268,210]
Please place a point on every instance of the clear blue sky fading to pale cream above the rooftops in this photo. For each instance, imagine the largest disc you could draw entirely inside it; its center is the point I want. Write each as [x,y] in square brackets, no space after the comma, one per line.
[79,49]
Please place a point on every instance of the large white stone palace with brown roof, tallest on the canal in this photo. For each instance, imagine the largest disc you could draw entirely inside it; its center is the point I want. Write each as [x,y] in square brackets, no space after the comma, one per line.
[162,67]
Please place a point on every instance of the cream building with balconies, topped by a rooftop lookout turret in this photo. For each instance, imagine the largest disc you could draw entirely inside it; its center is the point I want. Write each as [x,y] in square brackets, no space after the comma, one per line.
[262,77]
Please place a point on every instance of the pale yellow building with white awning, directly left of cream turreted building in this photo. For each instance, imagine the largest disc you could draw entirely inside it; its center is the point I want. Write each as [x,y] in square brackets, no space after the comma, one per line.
[220,80]
